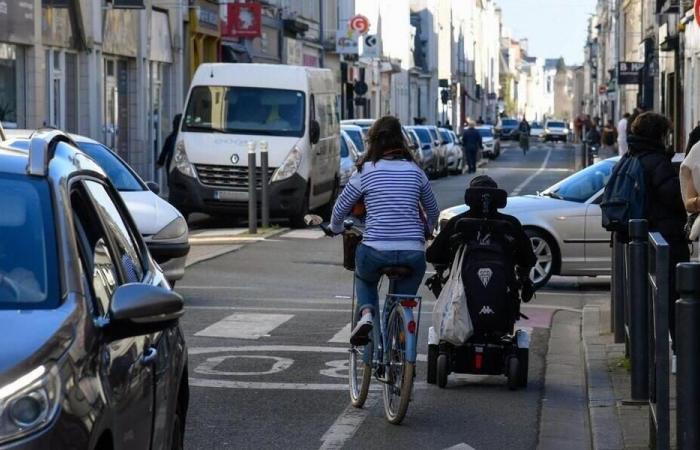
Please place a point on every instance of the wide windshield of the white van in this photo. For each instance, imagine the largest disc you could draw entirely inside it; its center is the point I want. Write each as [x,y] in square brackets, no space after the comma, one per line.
[245,110]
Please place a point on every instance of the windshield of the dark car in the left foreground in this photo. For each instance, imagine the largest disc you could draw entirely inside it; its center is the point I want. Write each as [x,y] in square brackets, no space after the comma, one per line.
[28,254]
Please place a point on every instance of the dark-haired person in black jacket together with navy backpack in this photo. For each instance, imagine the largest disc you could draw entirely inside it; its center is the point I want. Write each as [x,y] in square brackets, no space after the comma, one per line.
[644,185]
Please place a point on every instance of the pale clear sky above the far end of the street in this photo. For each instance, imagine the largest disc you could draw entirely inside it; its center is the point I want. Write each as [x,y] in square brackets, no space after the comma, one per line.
[554,27]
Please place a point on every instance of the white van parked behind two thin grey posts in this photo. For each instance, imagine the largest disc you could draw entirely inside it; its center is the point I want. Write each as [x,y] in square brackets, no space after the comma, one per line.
[292,108]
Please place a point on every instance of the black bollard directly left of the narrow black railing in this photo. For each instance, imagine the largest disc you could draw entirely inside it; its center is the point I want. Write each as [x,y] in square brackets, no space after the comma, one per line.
[637,257]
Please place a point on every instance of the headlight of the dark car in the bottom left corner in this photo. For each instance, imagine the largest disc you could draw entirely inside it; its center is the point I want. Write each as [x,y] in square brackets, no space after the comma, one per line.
[29,403]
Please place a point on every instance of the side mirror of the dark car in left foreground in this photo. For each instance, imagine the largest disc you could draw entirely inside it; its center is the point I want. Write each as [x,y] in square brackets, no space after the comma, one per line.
[139,309]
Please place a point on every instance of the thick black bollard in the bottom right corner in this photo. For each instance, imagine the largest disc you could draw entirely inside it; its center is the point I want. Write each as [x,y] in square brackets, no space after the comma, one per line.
[688,356]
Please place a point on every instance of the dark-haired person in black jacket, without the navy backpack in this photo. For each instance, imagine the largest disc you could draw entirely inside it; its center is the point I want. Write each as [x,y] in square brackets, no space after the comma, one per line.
[665,209]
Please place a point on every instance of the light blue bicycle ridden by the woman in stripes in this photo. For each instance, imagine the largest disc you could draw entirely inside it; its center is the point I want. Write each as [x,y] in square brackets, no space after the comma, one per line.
[392,361]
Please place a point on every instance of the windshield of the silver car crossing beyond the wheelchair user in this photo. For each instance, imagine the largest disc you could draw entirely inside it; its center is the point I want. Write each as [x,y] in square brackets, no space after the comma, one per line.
[584,184]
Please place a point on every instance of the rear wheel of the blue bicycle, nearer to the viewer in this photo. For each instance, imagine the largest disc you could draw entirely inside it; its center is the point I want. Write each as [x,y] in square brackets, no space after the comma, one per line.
[399,372]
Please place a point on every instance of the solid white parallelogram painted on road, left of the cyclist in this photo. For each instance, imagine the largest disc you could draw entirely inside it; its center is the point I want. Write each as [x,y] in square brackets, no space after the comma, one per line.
[245,326]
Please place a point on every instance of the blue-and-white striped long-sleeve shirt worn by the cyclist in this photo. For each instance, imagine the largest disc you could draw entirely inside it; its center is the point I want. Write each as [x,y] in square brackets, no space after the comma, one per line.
[393,192]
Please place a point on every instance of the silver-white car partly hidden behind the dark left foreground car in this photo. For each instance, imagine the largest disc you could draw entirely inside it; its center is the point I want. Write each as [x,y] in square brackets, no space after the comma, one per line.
[162,226]
